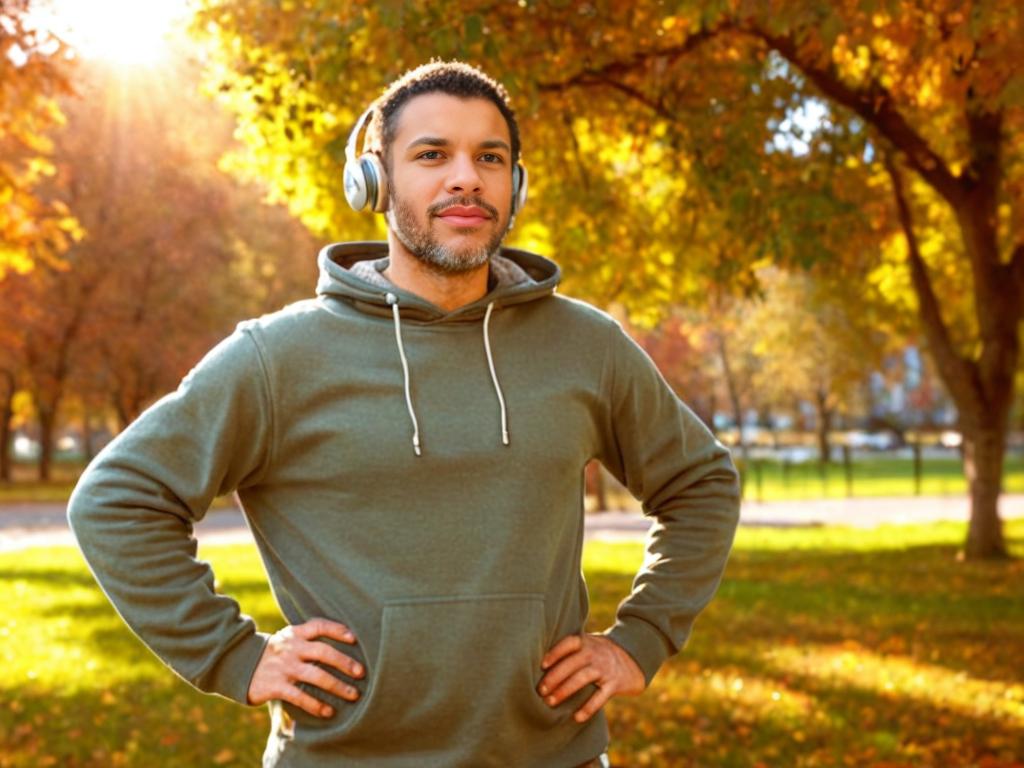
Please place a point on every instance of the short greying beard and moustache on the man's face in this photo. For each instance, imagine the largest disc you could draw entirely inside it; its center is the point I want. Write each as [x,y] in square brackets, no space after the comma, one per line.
[423,244]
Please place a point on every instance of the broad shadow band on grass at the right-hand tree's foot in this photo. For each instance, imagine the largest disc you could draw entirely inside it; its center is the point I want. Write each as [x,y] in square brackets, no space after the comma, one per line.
[917,602]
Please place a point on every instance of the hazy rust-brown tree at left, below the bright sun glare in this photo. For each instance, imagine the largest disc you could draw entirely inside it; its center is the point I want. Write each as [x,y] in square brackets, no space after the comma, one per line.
[176,253]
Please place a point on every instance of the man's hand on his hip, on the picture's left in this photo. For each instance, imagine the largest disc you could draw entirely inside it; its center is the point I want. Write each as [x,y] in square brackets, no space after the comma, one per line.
[288,660]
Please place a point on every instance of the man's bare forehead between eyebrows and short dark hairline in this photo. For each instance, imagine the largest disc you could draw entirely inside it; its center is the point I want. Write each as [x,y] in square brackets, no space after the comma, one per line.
[453,118]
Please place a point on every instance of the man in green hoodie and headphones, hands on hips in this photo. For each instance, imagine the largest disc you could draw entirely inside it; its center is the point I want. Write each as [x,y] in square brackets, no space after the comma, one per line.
[409,449]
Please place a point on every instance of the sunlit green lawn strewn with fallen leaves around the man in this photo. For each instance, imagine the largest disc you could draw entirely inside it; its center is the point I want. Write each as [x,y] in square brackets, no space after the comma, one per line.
[825,648]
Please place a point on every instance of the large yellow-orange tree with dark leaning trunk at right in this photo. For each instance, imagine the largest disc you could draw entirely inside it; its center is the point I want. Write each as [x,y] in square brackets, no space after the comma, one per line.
[635,107]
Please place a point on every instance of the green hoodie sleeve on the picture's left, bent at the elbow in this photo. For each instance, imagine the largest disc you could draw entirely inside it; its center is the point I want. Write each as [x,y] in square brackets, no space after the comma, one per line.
[134,509]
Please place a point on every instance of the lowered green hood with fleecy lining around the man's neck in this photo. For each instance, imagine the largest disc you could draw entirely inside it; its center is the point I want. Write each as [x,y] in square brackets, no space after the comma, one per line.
[353,273]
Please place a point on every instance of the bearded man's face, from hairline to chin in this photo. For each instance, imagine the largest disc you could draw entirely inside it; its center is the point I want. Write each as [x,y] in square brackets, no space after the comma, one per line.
[451,154]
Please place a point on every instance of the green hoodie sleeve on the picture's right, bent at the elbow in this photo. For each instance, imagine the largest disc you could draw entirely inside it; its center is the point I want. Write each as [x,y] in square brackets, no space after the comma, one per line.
[686,479]
